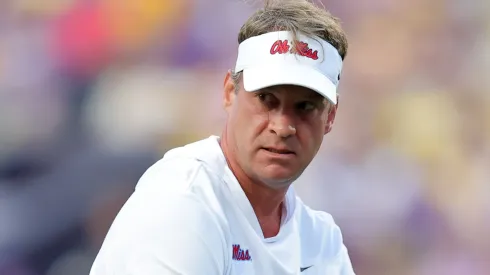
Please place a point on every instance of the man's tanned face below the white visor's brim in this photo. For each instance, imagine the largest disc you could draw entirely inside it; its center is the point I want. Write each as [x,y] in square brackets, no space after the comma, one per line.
[274,133]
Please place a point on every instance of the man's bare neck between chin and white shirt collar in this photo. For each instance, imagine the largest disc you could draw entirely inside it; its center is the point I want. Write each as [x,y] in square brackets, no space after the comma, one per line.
[266,201]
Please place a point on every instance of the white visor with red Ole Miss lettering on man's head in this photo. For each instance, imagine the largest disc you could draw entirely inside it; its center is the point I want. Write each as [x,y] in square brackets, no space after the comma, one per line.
[269,60]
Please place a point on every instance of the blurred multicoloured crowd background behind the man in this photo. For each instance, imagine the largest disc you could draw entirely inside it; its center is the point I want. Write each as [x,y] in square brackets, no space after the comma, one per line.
[92,92]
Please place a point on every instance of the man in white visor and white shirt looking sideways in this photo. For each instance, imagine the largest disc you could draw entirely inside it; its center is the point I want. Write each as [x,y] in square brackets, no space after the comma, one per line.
[225,205]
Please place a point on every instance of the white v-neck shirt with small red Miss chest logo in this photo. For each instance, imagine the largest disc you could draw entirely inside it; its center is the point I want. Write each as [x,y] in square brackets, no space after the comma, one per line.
[190,216]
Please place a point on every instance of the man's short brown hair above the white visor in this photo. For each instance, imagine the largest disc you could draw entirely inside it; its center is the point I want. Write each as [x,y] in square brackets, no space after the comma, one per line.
[298,17]
